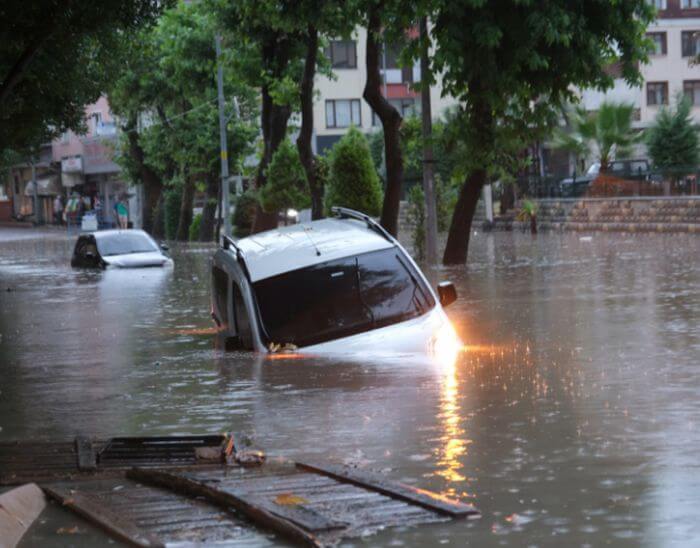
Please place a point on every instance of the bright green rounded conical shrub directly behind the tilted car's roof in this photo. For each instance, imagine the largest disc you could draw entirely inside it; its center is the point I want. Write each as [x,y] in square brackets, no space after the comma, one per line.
[353,179]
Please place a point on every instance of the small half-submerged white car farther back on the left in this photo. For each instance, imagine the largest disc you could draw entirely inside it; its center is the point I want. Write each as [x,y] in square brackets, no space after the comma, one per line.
[119,248]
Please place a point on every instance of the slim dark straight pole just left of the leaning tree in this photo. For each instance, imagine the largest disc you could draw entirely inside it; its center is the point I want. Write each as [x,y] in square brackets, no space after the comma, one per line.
[428,159]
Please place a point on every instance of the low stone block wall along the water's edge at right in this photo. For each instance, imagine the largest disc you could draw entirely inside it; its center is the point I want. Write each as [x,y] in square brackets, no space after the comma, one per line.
[637,214]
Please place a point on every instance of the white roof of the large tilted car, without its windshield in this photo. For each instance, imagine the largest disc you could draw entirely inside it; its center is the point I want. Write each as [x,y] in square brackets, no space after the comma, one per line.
[273,252]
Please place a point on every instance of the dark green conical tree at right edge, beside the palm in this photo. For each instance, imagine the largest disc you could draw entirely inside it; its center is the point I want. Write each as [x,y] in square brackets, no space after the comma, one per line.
[672,141]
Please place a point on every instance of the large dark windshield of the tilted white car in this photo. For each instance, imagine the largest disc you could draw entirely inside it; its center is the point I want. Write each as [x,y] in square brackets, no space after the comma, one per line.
[340,298]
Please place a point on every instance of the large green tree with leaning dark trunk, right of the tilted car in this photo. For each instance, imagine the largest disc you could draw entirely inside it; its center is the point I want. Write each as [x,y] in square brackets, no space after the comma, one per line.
[514,63]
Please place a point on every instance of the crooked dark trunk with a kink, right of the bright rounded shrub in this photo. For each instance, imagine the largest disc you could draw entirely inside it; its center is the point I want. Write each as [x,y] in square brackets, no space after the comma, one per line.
[391,123]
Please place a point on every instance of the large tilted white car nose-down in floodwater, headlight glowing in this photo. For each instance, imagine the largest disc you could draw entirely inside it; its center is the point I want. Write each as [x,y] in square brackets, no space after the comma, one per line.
[336,285]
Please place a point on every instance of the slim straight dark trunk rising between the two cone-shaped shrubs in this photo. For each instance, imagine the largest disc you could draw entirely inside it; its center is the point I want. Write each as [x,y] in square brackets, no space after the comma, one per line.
[306,96]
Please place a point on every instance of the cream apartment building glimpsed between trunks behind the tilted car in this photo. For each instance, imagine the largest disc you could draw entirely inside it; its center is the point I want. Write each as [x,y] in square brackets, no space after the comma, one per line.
[340,105]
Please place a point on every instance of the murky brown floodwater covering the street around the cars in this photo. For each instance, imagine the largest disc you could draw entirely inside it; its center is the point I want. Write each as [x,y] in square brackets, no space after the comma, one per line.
[572,417]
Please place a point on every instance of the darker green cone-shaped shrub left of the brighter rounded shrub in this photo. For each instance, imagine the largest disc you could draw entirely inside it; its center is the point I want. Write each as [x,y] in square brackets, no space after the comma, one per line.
[286,186]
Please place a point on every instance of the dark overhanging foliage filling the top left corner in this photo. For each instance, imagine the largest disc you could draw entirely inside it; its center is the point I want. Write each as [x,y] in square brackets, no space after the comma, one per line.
[55,60]
